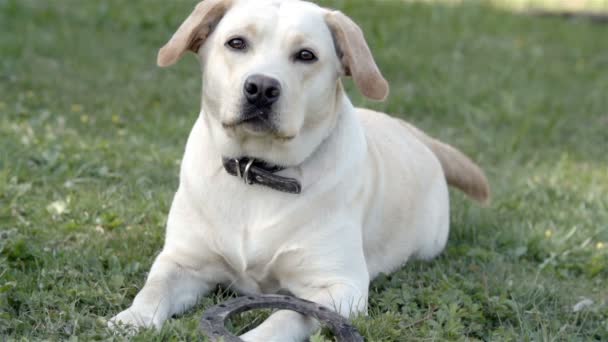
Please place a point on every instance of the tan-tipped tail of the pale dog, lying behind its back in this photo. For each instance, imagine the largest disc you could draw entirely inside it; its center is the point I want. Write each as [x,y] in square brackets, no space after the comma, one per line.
[459,170]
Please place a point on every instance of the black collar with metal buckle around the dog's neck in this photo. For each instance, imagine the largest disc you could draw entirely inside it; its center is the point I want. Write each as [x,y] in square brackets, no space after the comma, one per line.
[254,171]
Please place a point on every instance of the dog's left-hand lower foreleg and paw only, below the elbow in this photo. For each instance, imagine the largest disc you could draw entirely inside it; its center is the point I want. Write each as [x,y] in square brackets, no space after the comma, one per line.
[171,288]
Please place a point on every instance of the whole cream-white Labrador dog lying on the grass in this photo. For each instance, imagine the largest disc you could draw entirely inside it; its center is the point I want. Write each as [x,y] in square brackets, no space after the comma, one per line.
[284,184]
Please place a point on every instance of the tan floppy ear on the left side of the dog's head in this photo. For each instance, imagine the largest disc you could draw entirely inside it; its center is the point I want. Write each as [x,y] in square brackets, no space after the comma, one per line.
[194,31]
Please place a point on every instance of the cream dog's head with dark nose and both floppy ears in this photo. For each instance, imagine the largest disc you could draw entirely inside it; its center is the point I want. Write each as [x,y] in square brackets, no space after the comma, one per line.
[271,73]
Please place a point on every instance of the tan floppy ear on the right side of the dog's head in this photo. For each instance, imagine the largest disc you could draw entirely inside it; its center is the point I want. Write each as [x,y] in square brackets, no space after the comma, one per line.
[356,57]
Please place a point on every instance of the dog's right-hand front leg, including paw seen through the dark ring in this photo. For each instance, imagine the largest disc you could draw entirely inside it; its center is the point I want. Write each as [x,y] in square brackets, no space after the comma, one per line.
[334,277]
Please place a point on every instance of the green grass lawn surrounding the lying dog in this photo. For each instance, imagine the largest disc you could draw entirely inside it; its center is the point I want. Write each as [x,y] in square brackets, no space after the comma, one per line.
[92,132]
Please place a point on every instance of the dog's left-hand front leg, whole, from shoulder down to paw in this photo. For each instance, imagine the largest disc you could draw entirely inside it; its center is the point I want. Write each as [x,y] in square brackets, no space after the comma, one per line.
[181,273]
